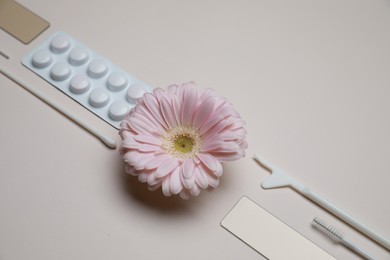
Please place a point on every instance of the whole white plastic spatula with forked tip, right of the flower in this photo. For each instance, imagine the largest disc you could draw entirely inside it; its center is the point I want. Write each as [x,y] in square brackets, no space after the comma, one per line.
[280,179]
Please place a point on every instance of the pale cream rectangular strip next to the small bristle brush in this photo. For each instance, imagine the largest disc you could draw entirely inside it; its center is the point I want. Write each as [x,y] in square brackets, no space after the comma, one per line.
[268,235]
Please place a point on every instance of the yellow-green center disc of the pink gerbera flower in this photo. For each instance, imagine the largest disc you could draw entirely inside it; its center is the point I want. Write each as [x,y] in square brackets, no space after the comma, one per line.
[182,142]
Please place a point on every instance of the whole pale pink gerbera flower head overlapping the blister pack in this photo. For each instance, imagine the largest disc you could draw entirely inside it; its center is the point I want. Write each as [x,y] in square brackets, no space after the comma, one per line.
[176,139]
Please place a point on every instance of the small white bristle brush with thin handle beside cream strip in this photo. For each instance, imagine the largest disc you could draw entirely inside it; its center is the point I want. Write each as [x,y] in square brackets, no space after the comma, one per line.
[338,237]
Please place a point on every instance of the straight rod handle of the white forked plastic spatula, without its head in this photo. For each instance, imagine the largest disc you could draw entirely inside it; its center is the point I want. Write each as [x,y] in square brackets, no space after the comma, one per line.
[345,217]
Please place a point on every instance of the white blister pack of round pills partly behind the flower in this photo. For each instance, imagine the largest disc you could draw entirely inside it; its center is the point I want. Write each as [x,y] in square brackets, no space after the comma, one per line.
[87,77]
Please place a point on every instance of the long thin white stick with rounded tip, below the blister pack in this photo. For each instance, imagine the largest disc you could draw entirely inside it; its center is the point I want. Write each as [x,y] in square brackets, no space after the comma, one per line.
[108,141]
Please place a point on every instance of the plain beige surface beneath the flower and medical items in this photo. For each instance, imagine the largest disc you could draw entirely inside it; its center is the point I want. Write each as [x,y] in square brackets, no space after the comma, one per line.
[311,79]
